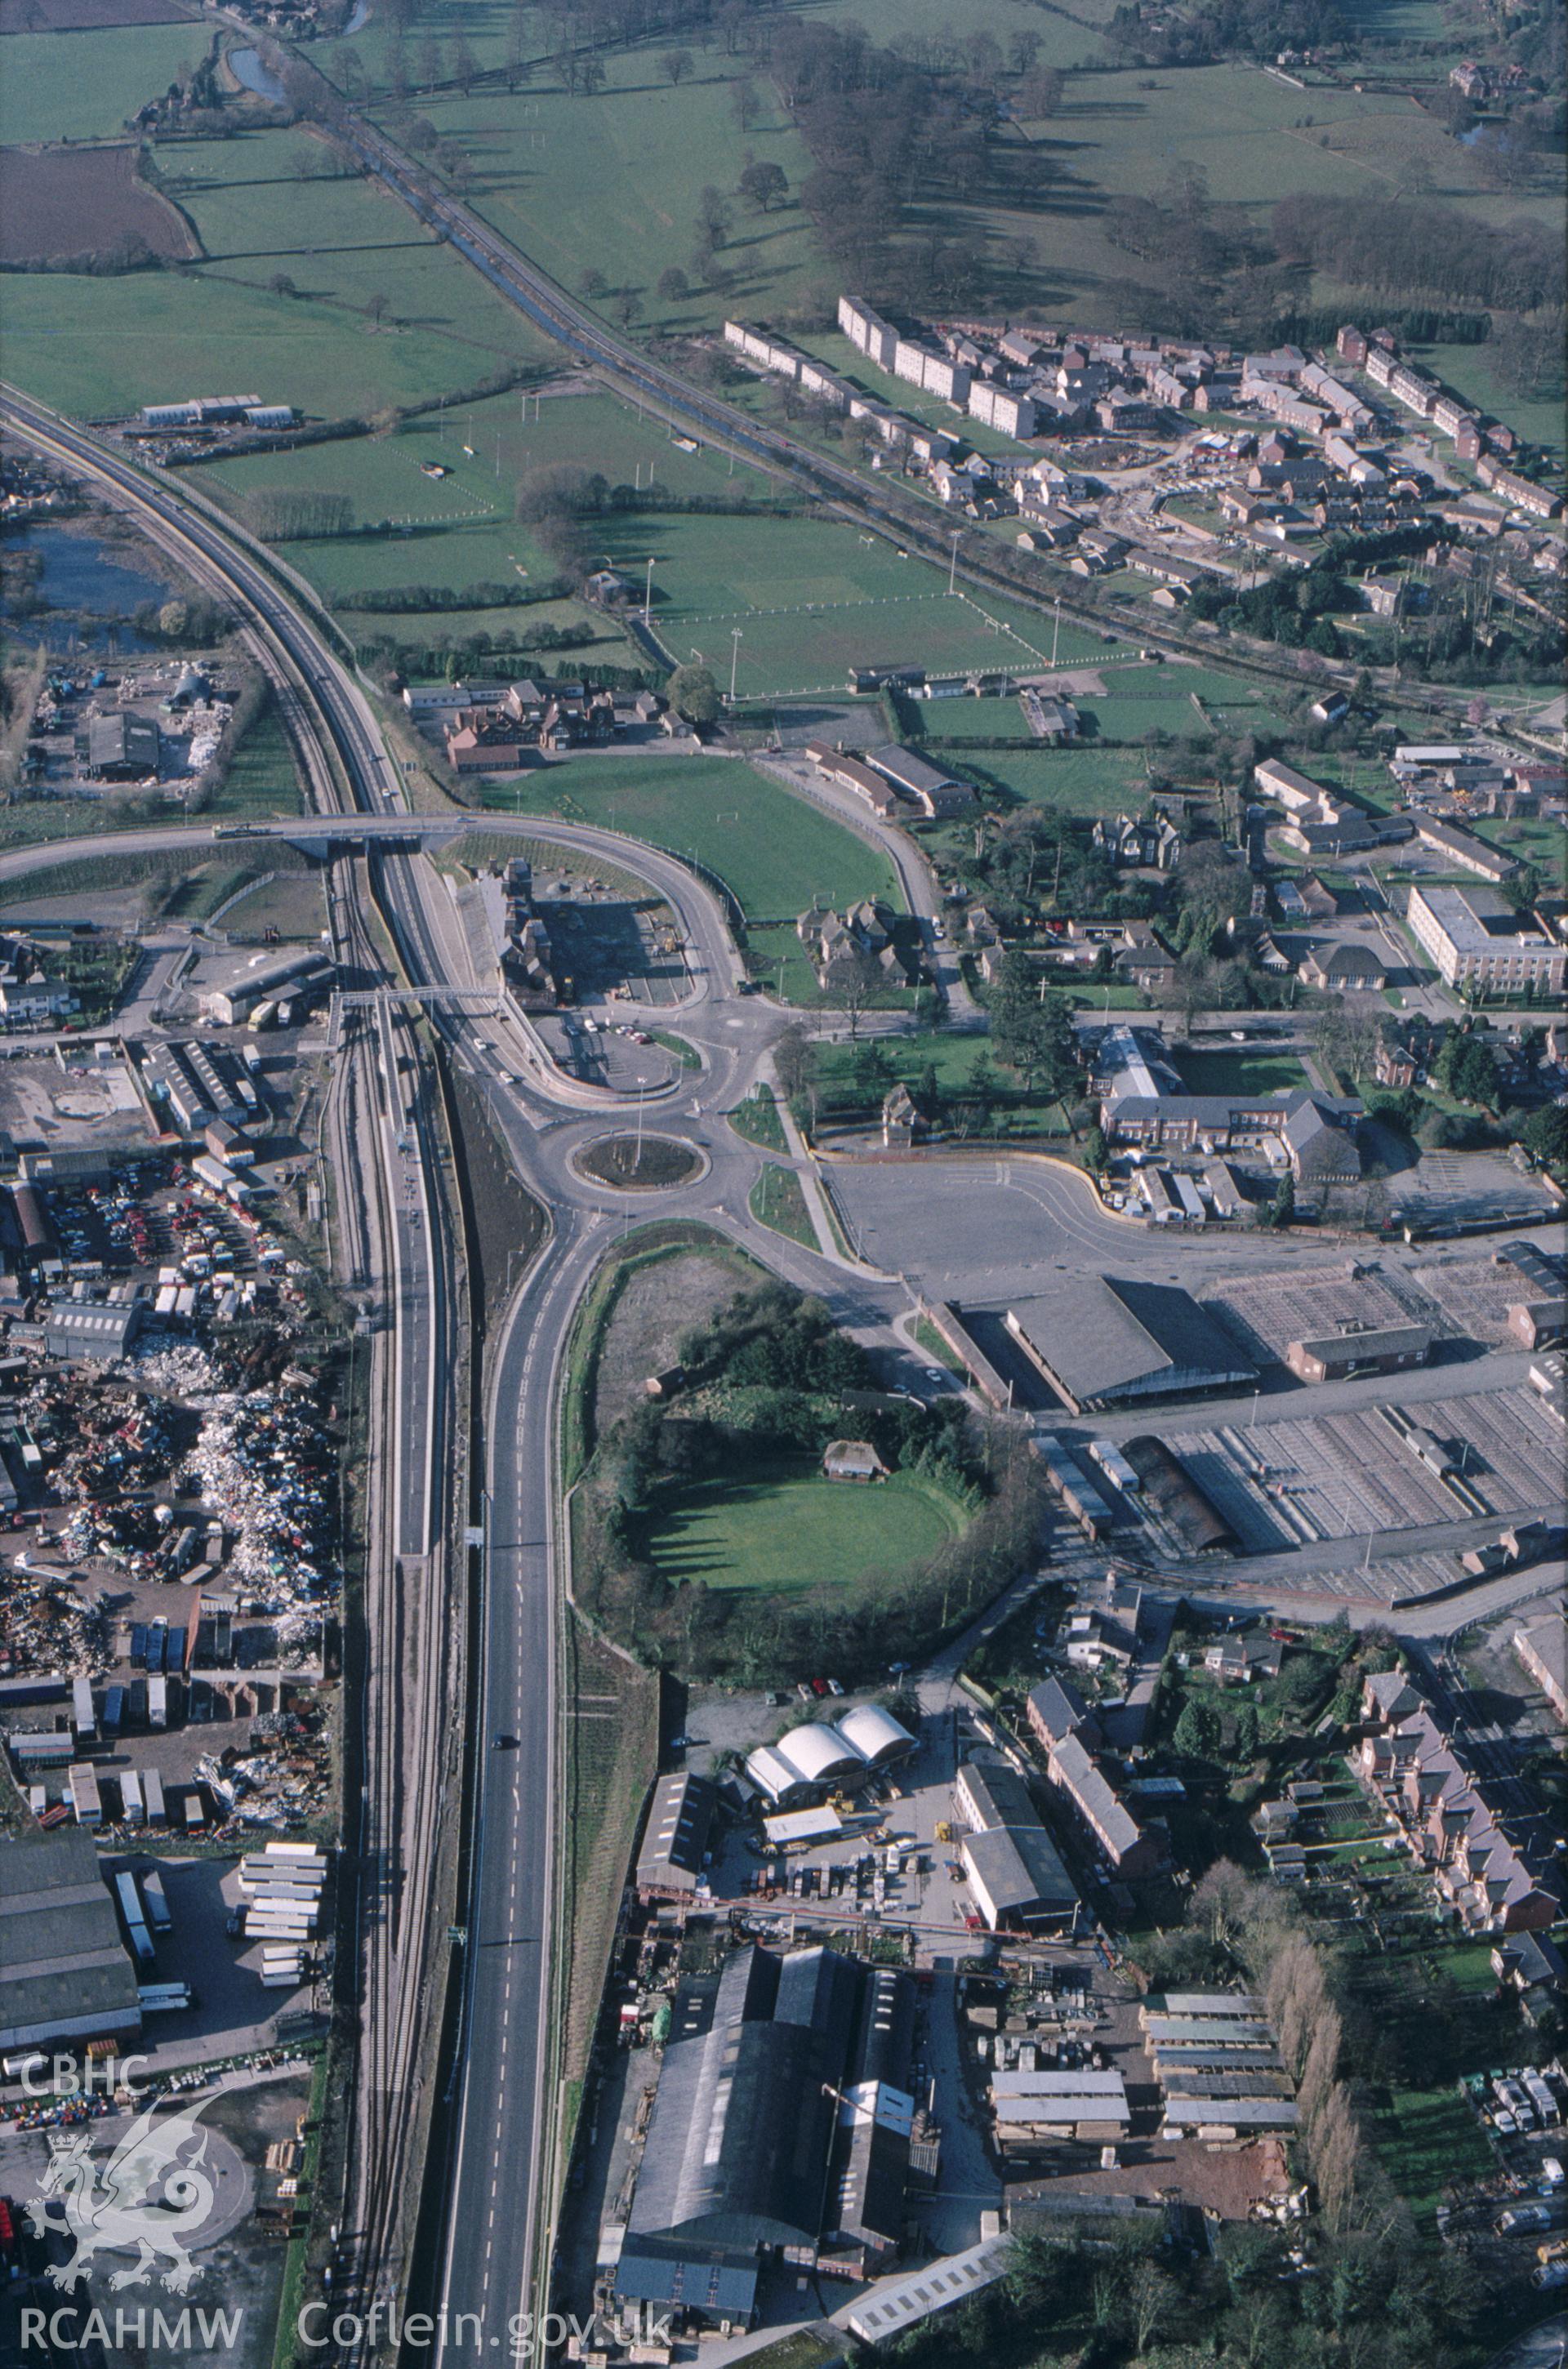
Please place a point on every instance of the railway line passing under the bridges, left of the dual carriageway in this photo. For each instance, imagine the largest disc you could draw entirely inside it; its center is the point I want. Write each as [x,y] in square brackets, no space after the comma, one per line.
[399,1247]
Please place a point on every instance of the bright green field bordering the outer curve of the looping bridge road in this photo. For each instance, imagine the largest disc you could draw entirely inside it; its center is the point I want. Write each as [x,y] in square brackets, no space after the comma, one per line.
[771,849]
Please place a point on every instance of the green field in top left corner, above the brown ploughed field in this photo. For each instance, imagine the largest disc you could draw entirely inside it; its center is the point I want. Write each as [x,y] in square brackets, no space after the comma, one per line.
[84,86]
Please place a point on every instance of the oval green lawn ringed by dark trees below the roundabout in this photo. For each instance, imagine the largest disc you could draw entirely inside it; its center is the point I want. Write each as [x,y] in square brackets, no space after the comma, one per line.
[788,1529]
